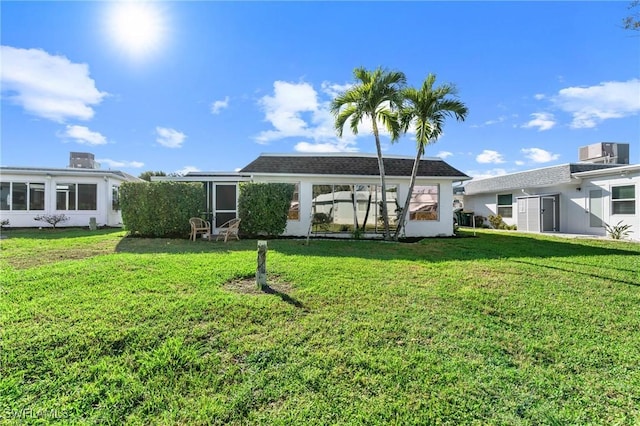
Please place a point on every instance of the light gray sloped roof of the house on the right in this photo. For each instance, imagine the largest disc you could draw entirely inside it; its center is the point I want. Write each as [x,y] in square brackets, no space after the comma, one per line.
[547,176]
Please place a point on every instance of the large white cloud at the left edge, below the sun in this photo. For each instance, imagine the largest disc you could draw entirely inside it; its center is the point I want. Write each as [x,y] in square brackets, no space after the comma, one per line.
[48,86]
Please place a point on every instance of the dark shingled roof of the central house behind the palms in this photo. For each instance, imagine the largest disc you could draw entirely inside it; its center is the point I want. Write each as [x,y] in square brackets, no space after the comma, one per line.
[351,165]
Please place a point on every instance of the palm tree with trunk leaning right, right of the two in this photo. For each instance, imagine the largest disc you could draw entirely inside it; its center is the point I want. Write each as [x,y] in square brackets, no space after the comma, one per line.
[427,108]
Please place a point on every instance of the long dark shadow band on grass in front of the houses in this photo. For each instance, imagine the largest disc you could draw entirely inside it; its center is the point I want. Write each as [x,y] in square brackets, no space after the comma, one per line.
[486,246]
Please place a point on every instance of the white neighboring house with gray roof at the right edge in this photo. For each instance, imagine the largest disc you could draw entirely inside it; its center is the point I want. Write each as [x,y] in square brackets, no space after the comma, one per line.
[577,198]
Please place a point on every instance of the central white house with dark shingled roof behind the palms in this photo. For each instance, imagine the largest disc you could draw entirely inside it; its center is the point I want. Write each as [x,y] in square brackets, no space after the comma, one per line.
[333,191]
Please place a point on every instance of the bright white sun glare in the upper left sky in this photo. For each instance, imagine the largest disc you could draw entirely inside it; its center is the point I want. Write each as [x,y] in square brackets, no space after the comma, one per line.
[137,28]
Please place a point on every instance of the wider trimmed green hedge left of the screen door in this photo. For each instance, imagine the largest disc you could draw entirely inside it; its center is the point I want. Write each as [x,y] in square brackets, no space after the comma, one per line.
[160,209]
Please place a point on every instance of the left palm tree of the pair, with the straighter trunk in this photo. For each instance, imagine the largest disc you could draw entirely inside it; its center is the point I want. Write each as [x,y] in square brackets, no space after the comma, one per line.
[376,95]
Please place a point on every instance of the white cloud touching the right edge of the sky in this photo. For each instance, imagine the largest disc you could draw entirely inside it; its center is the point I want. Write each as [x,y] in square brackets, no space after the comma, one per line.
[592,105]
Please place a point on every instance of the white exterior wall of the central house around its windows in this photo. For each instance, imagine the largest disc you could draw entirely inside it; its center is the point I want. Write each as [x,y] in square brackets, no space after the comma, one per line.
[418,228]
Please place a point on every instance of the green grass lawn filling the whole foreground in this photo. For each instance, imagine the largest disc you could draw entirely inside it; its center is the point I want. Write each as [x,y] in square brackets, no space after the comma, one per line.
[505,328]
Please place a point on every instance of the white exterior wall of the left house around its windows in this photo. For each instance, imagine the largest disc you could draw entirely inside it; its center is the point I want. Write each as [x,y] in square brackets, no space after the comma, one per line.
[104,214]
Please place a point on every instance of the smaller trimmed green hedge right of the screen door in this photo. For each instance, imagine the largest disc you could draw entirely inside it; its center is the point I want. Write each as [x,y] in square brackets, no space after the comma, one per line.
[263,207]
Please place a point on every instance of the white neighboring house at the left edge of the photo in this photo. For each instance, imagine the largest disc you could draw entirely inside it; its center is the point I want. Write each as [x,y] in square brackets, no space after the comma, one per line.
[79,193]
